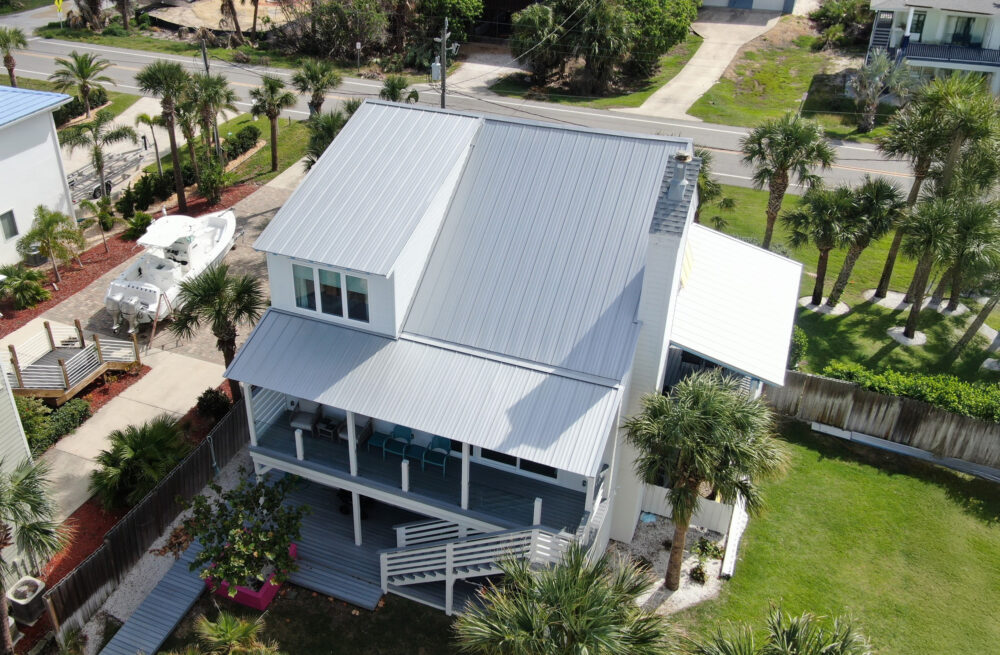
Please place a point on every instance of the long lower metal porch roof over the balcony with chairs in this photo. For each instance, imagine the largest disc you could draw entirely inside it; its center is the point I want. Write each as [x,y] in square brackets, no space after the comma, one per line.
[546,416]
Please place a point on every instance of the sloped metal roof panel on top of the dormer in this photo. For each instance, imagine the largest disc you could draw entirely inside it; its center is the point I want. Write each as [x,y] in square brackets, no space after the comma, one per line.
[362,200]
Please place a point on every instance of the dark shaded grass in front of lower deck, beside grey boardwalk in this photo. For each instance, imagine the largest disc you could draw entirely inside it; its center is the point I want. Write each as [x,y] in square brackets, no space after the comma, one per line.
[304,623]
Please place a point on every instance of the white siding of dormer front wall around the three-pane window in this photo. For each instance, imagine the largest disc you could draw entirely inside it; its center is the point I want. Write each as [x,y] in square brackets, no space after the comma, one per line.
[380,303]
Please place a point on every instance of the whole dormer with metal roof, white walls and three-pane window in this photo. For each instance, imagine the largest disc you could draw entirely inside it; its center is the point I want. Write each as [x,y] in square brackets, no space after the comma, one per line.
[351,244]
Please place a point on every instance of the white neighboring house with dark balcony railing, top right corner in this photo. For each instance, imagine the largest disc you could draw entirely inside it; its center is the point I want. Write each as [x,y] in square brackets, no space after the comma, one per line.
[940,36]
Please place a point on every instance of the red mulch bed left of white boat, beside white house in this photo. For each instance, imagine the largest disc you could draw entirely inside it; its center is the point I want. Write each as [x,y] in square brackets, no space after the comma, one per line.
[96,263]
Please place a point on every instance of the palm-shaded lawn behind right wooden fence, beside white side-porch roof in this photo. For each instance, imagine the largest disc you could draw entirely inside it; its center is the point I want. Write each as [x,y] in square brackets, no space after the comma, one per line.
[858,336]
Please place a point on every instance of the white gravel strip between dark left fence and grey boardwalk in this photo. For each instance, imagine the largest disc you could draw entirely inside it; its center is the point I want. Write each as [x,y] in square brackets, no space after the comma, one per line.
[148,571]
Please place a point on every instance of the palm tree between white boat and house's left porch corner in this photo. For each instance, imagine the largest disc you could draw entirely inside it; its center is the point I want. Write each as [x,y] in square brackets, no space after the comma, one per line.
[223,302]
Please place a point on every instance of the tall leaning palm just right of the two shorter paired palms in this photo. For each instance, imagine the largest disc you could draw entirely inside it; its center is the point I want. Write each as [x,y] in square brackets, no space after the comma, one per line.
[914,134]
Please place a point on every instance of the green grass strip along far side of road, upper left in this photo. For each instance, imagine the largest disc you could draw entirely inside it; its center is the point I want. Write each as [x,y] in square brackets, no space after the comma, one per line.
[258,56]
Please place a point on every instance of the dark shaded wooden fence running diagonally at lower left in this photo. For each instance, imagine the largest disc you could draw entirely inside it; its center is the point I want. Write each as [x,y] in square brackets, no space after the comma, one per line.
[74,599]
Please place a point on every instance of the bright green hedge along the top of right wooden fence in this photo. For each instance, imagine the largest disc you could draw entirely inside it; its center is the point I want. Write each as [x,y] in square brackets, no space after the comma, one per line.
[972,399]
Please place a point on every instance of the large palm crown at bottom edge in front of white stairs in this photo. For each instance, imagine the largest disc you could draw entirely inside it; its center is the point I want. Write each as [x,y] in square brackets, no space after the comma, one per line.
[574,606]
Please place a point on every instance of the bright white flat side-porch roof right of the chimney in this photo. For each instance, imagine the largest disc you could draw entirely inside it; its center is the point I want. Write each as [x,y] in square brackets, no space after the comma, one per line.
[736,305]
